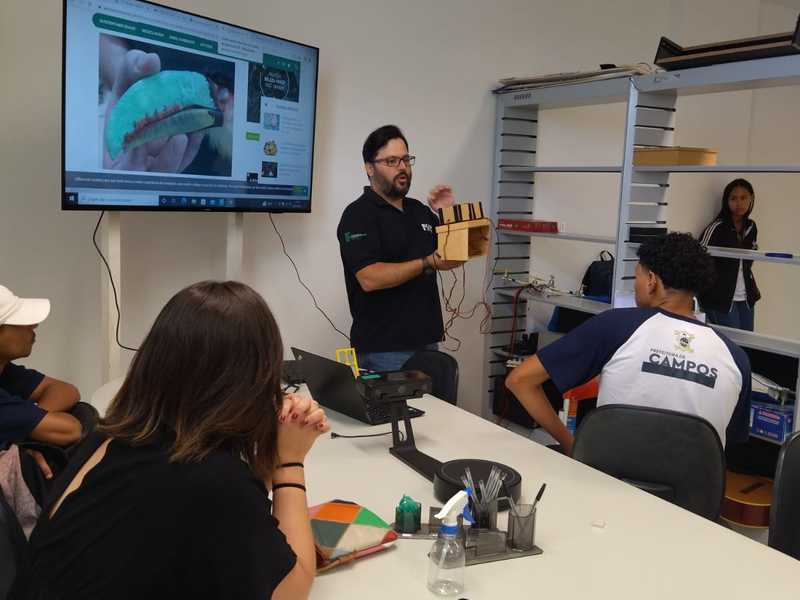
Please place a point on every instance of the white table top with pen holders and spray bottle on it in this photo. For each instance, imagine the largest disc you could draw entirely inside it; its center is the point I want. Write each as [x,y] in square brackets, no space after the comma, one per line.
[648,548]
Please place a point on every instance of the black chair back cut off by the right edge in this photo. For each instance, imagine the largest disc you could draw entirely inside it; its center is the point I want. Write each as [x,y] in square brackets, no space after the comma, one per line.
[784,516]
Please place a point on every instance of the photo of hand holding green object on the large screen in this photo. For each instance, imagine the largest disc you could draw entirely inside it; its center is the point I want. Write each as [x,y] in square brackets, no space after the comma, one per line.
[165,110]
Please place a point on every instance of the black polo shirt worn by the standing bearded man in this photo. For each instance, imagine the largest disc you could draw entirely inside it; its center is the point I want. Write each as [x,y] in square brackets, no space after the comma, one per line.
[405,317]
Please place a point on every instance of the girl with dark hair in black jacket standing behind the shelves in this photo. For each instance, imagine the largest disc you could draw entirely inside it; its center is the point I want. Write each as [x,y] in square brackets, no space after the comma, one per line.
[730,300]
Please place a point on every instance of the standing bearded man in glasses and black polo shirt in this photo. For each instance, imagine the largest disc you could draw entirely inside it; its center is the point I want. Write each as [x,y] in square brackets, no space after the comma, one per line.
[388,247]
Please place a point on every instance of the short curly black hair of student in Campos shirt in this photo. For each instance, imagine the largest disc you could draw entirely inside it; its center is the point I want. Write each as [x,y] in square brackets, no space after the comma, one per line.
[680,261]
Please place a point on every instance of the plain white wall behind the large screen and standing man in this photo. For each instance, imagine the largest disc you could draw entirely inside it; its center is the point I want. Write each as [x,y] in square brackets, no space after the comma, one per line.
[426,66]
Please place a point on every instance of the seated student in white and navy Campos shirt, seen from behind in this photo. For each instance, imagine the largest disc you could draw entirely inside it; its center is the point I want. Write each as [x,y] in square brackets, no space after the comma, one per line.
[656,355]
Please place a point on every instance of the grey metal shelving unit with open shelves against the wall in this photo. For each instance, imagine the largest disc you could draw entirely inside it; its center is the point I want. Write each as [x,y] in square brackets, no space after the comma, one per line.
[650,120]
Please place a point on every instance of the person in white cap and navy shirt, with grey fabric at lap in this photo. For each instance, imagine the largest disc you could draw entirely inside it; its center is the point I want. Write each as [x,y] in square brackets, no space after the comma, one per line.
[32,408]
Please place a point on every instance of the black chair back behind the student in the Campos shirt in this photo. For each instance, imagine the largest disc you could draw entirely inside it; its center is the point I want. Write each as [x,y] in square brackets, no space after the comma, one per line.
[676,456]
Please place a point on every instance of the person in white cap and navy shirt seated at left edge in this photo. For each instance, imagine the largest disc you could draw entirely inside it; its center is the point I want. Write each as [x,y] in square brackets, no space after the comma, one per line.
[32,405]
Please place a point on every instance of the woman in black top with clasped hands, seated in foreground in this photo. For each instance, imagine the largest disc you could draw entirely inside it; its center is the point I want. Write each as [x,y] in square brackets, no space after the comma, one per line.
[168,497]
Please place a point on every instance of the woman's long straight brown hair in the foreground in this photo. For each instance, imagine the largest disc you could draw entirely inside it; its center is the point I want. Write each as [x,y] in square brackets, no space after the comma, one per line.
[206,378]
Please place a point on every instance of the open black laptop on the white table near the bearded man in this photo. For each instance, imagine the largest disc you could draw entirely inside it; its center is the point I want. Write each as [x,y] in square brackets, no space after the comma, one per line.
[332,385]
